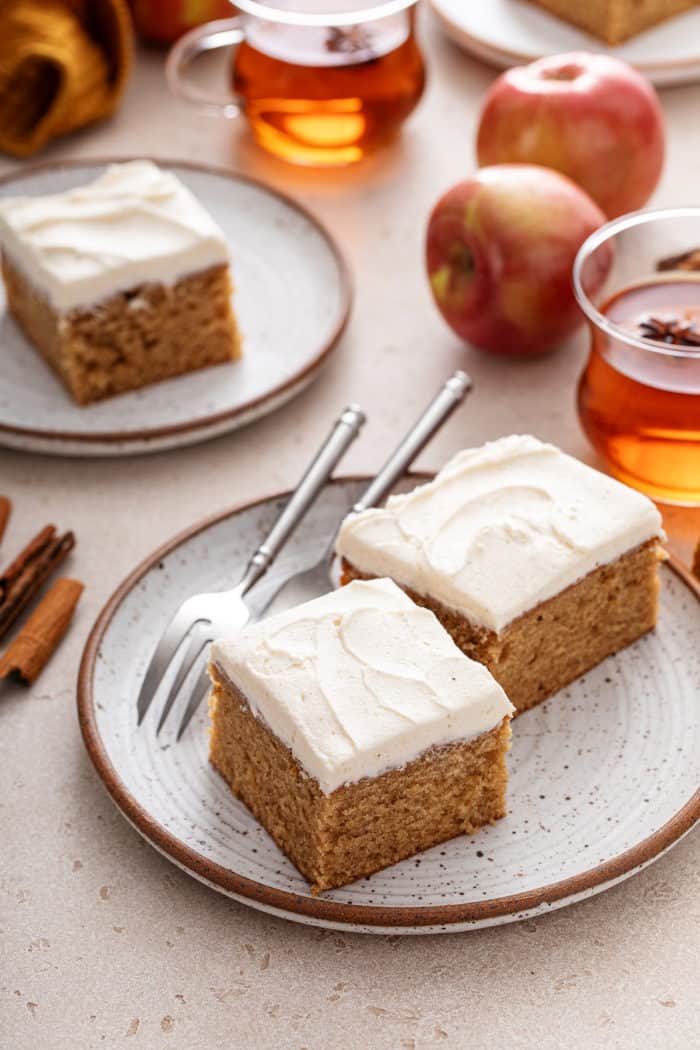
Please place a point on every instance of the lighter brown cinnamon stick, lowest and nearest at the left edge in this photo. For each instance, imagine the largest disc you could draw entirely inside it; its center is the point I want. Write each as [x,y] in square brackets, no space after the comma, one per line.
[35,645]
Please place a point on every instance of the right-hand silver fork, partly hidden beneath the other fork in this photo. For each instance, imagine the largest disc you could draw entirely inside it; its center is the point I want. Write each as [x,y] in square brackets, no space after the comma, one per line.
[310,583]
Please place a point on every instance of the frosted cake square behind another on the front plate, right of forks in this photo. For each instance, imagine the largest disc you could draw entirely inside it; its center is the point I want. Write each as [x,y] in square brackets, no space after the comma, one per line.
[538,565]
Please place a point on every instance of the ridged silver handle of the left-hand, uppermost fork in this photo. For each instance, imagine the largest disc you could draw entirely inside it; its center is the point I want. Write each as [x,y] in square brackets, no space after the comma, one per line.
[346,431]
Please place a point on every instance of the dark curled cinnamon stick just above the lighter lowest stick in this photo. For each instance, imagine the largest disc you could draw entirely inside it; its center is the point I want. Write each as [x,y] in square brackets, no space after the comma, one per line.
[33,566]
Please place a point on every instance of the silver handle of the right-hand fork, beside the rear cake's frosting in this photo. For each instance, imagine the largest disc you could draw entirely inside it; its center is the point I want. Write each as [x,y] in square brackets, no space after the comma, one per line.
[452,394]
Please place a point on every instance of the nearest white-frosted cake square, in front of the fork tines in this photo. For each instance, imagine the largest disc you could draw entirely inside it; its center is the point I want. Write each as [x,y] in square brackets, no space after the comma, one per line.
[357,733]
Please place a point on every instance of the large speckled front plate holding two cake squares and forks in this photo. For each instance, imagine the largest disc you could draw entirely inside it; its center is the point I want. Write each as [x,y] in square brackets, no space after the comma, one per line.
[604,776]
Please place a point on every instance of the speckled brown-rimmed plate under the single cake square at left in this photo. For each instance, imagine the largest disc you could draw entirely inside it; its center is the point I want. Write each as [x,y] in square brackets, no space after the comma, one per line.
[292,299]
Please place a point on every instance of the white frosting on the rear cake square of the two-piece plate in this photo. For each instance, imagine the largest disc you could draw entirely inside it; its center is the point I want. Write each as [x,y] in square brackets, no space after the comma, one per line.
[501,530]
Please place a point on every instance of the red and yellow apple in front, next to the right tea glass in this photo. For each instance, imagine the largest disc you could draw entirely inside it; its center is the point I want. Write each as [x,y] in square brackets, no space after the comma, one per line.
[500,251]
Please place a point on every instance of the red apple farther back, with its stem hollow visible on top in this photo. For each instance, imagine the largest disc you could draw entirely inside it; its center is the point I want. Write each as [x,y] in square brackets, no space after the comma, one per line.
[591,117]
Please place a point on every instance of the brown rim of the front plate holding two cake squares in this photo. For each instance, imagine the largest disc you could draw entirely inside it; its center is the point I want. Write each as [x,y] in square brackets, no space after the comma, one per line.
[320,909]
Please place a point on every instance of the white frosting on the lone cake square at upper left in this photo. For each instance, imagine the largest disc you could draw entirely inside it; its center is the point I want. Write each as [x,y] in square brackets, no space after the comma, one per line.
[134,225]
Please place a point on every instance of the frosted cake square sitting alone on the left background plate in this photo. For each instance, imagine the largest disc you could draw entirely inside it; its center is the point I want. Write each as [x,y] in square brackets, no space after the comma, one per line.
[121,283]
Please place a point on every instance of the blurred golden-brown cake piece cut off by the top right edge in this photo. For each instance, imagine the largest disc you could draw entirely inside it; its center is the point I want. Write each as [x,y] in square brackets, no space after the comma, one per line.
[616,22]
